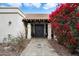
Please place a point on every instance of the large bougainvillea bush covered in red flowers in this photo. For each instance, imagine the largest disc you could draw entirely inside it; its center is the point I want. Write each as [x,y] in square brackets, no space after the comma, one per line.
[61,19]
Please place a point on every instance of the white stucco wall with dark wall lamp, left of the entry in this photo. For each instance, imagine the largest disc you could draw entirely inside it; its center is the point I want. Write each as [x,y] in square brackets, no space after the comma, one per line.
[14,29]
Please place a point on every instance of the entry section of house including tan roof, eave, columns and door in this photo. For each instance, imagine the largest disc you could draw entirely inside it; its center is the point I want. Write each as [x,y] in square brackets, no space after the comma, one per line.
[37,26]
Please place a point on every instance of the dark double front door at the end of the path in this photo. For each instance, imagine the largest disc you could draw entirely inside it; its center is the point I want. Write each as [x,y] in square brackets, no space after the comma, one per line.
[39,30]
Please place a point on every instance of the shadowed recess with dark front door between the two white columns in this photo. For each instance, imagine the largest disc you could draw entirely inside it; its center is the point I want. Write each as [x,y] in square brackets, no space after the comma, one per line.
[39,30]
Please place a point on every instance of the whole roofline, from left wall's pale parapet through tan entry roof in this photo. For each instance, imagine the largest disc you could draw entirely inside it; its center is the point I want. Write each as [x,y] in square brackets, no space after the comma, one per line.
[26,16]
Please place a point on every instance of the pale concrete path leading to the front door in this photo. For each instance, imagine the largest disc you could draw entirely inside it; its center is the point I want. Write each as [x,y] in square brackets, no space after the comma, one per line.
[39,47]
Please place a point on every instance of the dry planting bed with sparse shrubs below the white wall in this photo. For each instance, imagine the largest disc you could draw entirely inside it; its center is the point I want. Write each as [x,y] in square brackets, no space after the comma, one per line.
[14,47]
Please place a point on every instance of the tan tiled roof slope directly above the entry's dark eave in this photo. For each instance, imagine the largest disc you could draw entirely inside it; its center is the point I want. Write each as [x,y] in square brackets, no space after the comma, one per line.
[36,16]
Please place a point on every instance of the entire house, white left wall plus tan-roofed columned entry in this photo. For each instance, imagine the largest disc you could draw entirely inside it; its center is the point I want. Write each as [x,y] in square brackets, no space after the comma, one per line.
[13,22]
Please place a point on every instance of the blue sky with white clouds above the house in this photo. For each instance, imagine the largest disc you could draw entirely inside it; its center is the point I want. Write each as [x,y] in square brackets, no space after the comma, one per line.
[42,8]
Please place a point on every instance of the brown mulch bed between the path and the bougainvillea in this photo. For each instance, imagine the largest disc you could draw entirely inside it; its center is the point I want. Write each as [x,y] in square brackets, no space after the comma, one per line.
[61,50]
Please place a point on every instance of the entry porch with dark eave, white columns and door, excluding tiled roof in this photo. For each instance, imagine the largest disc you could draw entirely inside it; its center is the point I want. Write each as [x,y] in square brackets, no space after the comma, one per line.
[38,28]
